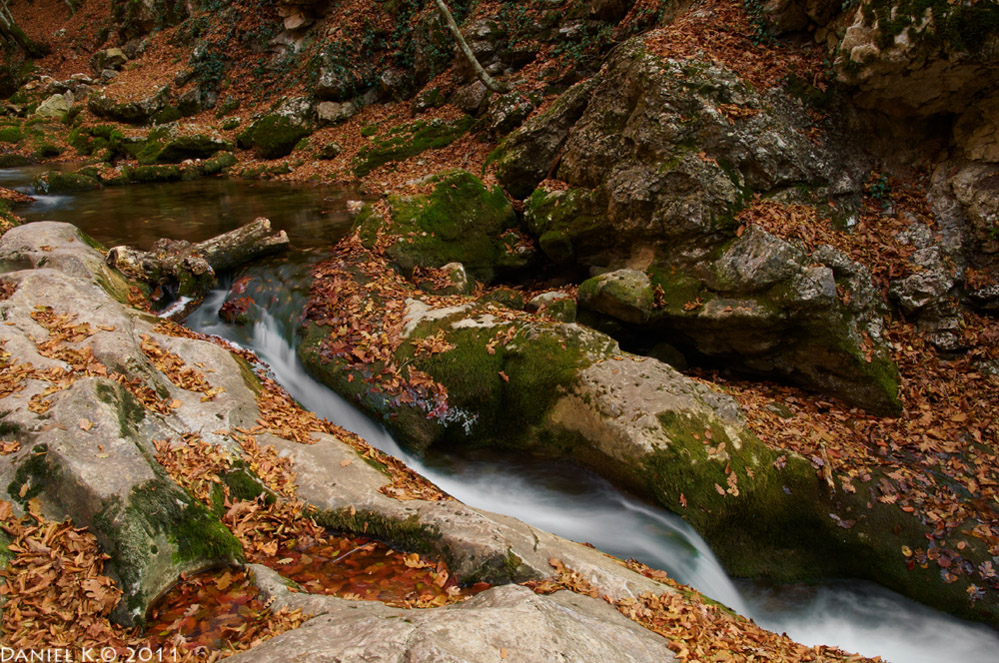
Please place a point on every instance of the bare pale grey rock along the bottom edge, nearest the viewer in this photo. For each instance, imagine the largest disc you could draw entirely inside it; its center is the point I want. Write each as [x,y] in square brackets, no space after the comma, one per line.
[505,623]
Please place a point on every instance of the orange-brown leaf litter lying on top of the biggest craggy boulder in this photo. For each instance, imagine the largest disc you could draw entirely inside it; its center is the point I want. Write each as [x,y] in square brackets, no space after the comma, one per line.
[722,31]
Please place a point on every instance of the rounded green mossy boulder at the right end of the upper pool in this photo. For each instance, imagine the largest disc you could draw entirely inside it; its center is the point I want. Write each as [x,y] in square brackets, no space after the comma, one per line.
[460,221]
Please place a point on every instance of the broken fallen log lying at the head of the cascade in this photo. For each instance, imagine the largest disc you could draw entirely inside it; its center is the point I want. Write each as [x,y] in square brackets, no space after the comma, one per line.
[177,268]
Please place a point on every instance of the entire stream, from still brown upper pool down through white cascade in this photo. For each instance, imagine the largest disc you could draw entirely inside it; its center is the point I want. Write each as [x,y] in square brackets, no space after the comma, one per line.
[558,497]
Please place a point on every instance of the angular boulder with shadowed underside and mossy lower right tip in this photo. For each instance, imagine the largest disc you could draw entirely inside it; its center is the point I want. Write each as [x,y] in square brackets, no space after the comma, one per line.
[766,306]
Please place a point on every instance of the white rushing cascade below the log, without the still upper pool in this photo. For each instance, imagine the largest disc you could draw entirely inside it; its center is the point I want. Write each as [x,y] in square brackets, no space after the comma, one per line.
[578,504]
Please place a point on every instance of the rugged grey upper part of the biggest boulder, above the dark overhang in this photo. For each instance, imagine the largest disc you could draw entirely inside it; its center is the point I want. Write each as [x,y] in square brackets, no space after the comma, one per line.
[672,149]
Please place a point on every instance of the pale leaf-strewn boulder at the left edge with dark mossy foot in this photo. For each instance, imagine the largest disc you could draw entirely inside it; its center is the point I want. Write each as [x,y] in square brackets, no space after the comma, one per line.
[89,401]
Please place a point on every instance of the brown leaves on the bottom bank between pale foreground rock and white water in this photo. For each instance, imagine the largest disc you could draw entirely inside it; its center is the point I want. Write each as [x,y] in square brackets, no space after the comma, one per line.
[697,628]
